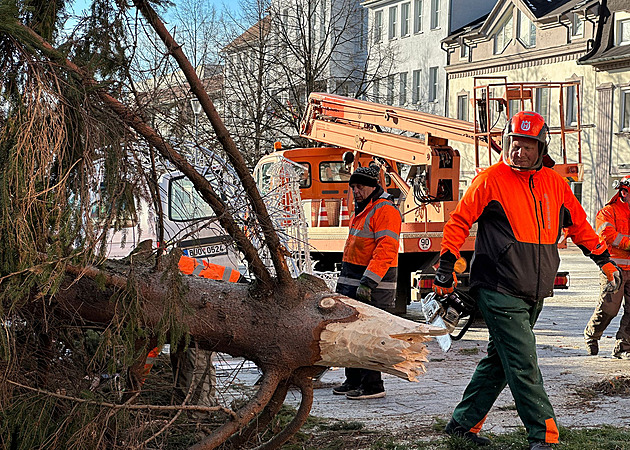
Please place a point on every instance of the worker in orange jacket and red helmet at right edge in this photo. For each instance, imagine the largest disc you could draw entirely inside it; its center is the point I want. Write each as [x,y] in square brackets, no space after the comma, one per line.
[613,225]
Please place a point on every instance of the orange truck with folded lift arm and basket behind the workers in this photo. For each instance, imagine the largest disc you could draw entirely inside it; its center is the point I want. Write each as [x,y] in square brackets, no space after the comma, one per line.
[418,167]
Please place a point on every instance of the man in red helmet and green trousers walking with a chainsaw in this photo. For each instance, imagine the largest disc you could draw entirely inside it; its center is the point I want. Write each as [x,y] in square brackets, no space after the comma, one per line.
[520,208]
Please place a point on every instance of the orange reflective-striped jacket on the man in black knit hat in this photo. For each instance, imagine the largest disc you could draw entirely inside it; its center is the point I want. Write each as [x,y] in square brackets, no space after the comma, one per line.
[370,256]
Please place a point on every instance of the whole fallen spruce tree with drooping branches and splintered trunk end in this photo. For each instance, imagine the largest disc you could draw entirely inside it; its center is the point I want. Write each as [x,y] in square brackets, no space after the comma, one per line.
[55,290]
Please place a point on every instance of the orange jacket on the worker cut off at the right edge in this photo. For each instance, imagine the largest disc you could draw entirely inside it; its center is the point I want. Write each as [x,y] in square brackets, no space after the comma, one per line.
[613,225]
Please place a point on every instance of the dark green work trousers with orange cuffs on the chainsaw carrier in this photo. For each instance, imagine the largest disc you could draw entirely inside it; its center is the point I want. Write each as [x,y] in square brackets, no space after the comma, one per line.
[511,360]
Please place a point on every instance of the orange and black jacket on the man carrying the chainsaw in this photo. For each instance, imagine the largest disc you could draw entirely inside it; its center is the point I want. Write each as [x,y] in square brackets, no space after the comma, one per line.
[520,216]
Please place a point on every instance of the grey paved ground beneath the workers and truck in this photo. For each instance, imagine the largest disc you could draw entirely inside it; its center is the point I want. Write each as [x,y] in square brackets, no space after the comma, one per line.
[562,357]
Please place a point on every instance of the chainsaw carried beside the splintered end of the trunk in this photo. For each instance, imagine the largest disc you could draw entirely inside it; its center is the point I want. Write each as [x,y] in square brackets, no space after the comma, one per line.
[449,311]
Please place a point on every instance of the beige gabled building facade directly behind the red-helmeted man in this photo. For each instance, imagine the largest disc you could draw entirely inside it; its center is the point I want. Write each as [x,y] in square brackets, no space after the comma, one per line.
[534,41]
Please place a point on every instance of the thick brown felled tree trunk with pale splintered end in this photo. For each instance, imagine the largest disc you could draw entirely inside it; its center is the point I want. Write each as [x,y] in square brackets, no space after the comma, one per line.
[310,327]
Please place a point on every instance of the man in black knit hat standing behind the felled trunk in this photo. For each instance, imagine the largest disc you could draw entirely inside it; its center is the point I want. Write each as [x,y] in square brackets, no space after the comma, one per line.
[370,265]
